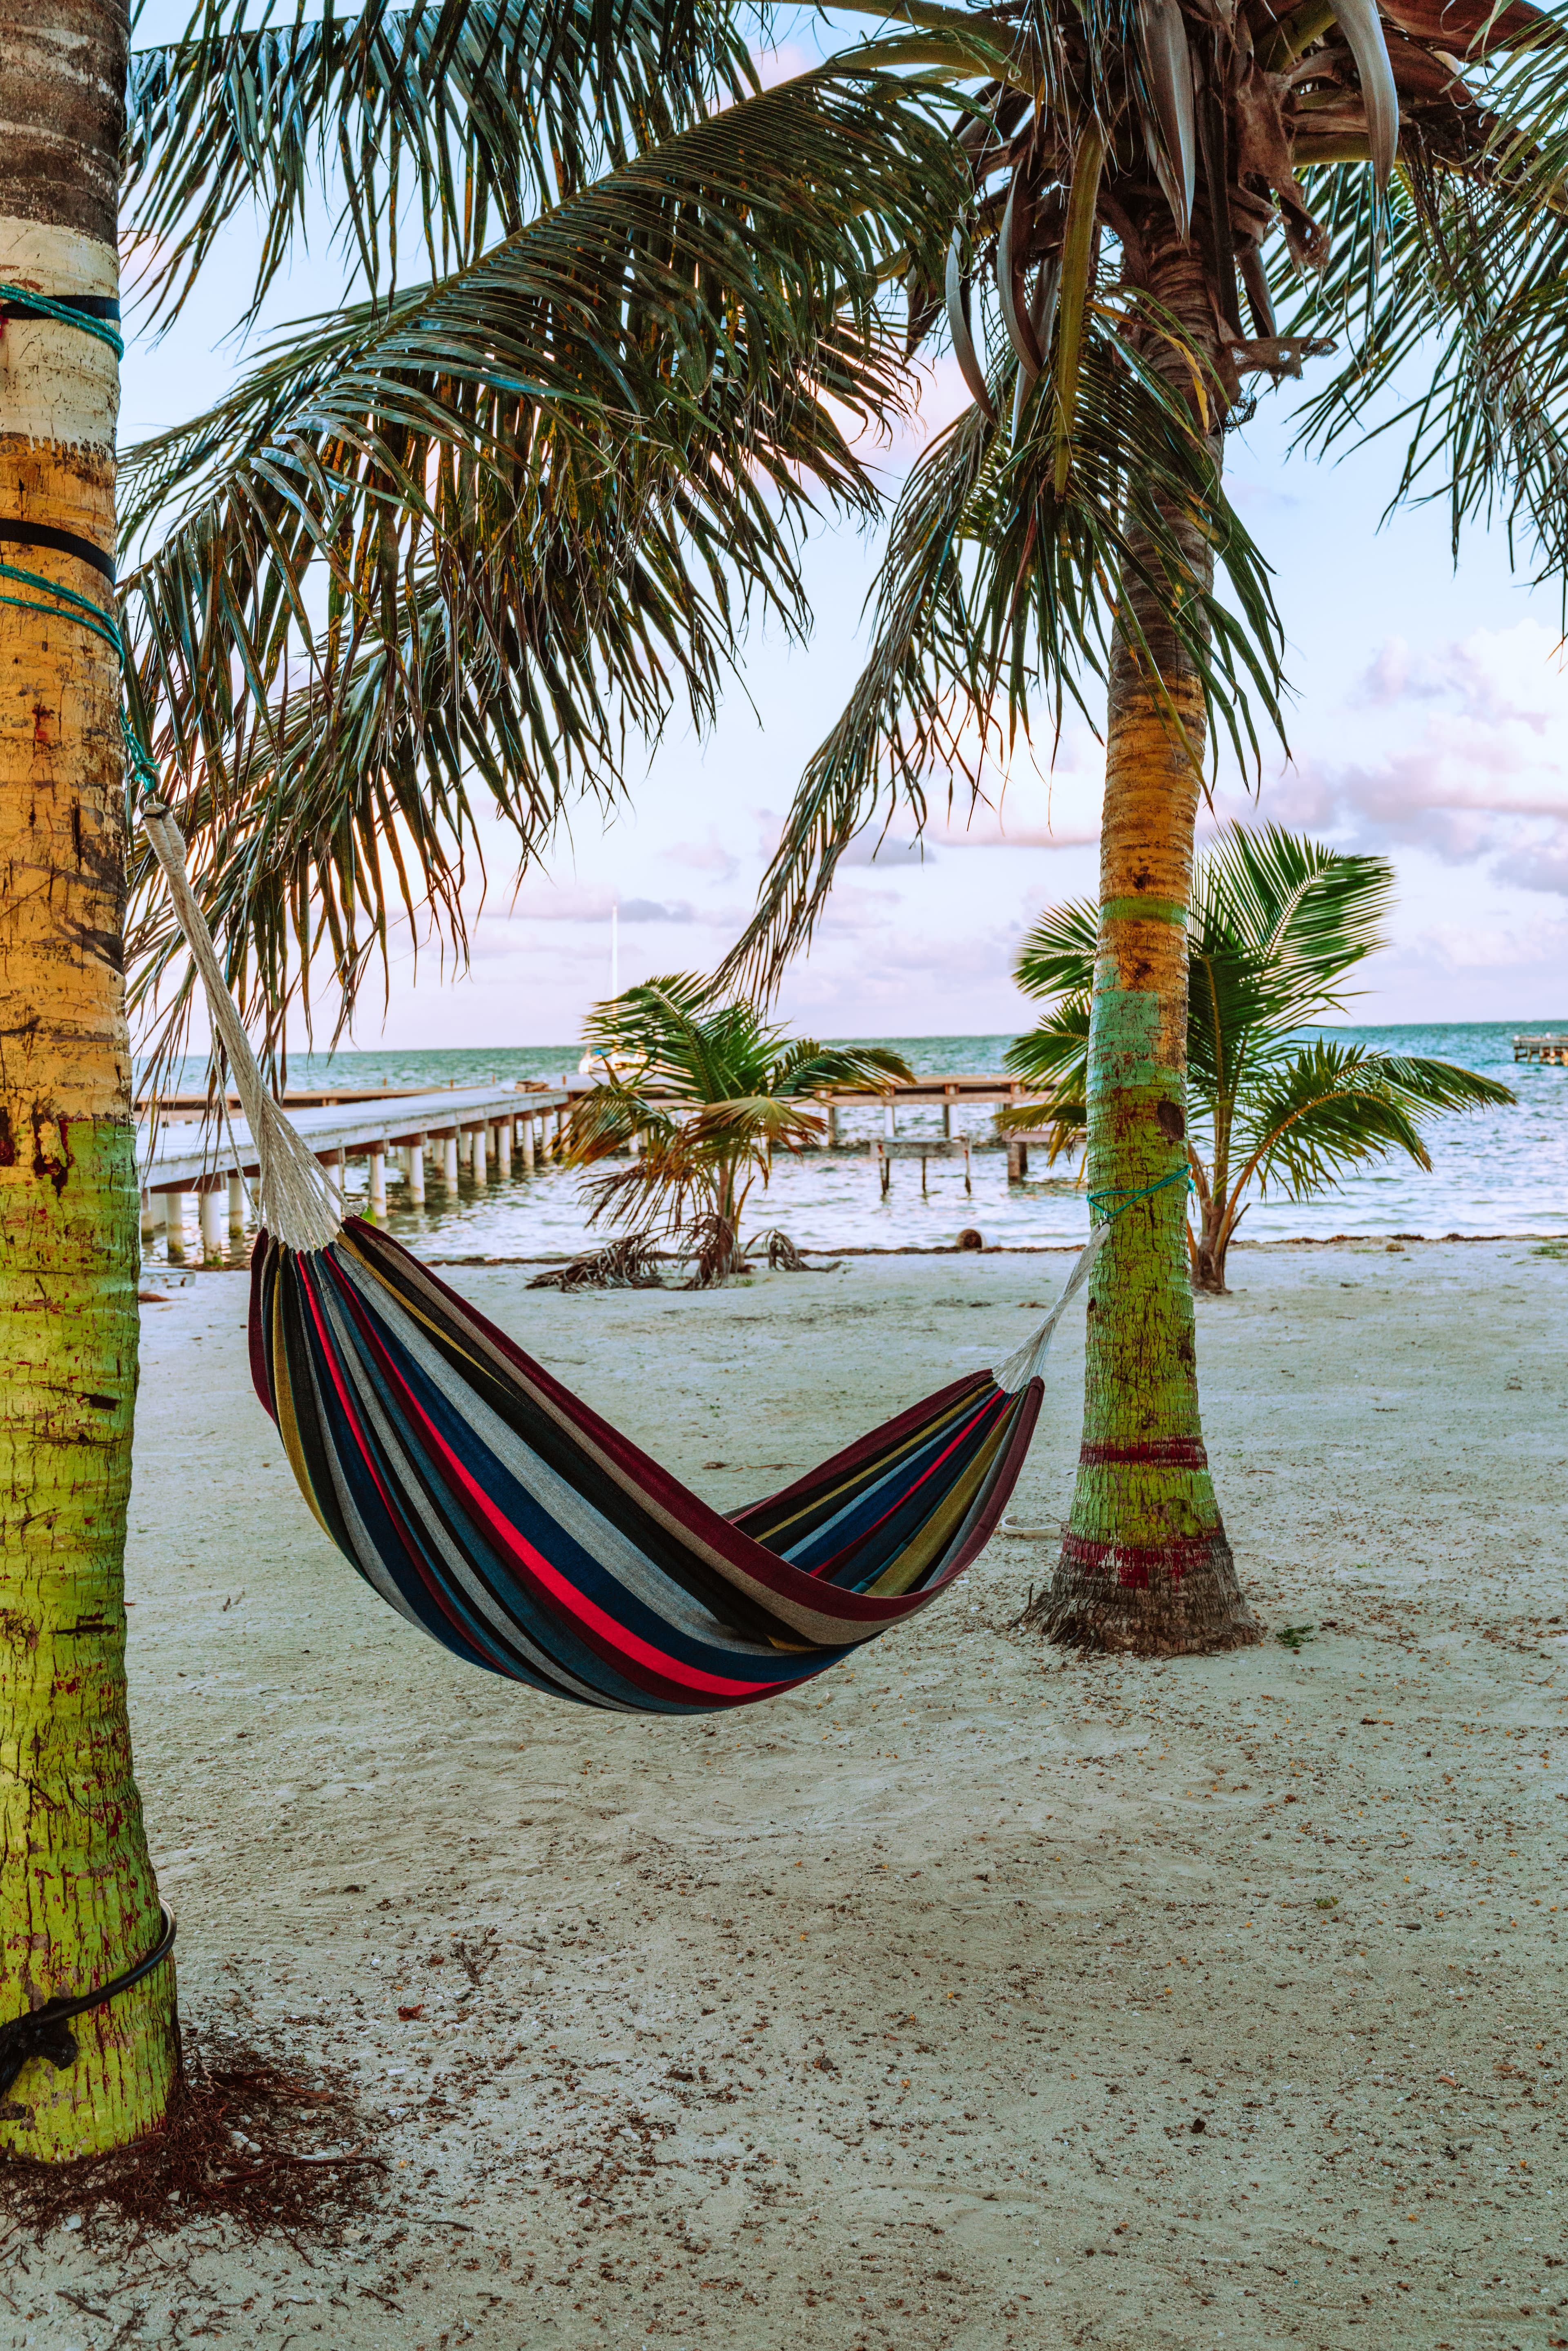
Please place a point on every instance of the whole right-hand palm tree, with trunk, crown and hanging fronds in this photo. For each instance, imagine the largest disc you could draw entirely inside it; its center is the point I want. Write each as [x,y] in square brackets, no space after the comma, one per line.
[1153,185]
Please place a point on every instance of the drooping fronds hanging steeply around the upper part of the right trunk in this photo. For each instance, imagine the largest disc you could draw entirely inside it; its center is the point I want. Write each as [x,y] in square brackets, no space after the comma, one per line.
[998,596]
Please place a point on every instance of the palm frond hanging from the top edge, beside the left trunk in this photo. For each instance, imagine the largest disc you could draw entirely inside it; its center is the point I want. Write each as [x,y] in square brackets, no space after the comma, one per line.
[469,114]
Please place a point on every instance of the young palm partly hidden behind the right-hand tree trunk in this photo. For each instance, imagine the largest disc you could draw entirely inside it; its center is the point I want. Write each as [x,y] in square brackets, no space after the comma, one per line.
[1275,927]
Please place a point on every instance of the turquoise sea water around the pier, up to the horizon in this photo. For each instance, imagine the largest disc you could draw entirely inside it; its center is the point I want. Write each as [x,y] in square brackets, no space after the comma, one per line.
[1501,1172]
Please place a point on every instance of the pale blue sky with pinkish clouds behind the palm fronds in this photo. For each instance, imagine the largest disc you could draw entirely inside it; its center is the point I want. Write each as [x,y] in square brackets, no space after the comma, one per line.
[1428,723]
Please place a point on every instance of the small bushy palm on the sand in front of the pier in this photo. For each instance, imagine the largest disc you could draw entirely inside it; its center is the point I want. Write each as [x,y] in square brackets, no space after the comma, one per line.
[704,1094]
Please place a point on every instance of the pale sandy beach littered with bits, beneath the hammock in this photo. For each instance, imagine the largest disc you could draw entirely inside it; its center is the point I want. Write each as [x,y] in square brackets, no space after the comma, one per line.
[972,1997]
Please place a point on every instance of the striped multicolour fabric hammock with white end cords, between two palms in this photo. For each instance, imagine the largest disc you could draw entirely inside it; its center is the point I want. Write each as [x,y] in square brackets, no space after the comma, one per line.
[502,1515]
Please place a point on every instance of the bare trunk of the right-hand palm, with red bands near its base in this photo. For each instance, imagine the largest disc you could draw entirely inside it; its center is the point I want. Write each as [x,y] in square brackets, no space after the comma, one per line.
[1146,1565]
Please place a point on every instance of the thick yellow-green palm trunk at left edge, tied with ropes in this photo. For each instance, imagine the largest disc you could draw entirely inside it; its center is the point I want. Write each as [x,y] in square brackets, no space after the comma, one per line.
[79,1903]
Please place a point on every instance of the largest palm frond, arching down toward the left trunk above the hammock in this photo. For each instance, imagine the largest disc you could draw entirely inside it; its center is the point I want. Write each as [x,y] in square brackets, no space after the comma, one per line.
[471,540]
